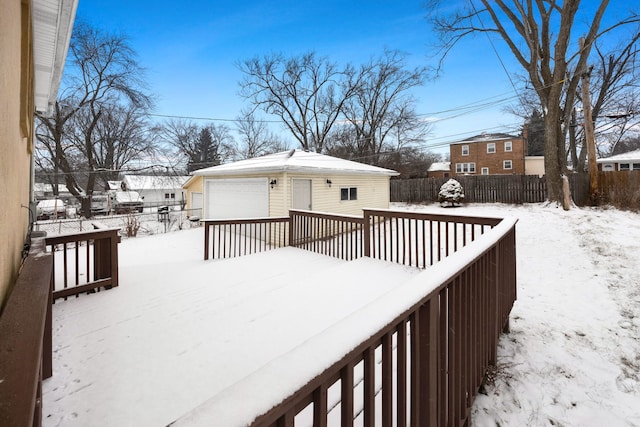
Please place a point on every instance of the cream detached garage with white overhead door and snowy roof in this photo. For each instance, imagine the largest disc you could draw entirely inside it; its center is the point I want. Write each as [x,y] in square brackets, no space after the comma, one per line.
[271,185]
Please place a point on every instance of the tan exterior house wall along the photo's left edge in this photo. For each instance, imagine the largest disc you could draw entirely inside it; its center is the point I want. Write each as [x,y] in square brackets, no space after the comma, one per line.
[16,136]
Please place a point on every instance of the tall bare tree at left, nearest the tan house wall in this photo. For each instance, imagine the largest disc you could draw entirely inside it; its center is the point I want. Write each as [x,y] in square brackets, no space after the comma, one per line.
[102,74]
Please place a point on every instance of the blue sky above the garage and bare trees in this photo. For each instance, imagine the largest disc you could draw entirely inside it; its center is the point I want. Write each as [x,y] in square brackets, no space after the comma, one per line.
[190,50]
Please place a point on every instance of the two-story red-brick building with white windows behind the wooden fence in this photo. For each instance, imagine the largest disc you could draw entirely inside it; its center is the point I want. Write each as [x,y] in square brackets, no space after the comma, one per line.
[488,154]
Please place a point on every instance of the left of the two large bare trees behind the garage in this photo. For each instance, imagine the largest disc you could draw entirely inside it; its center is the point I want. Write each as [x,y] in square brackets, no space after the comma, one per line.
[307,92]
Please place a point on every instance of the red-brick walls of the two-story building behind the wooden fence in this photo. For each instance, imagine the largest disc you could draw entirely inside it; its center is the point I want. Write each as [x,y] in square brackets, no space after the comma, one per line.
[493,161]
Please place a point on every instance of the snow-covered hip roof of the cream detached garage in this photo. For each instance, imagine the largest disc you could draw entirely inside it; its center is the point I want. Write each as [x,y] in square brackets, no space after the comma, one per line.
[295,161]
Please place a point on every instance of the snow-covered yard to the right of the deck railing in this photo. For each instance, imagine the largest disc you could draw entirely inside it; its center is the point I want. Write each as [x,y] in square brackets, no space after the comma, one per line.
[572,357]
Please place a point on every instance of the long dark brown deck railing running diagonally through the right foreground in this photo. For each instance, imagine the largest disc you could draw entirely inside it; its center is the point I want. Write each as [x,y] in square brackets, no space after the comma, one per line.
[432,356]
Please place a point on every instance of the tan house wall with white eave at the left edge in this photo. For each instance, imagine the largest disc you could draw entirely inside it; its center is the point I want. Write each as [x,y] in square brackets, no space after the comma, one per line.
[34,39]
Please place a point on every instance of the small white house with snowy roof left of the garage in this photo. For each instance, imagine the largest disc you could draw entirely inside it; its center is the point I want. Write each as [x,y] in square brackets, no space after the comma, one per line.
[157,190]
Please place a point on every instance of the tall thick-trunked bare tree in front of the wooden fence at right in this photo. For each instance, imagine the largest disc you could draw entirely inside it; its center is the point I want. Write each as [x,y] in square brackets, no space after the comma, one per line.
[538,33]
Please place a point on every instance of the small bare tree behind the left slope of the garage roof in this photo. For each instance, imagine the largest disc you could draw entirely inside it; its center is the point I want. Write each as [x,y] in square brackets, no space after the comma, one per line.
[256,139]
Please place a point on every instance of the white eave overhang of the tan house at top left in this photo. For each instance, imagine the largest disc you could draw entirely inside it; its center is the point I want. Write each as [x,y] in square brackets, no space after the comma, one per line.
[52,25]
